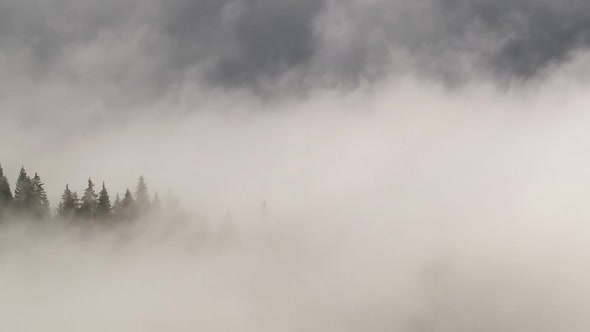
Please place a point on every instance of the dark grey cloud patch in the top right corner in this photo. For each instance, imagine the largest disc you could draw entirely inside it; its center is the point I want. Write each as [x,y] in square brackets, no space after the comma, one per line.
[537,33]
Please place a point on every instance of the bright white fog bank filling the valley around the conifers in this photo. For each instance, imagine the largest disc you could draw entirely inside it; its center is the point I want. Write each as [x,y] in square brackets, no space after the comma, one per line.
[403,206]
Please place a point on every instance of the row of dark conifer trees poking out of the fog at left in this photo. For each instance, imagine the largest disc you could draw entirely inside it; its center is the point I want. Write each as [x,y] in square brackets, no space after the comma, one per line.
[29,200]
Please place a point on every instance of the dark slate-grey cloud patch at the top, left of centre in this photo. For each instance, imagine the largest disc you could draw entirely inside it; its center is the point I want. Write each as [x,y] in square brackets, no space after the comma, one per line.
[245,39]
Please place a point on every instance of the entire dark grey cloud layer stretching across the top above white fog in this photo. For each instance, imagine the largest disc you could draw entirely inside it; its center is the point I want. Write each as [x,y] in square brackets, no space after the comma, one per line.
[150,45]
